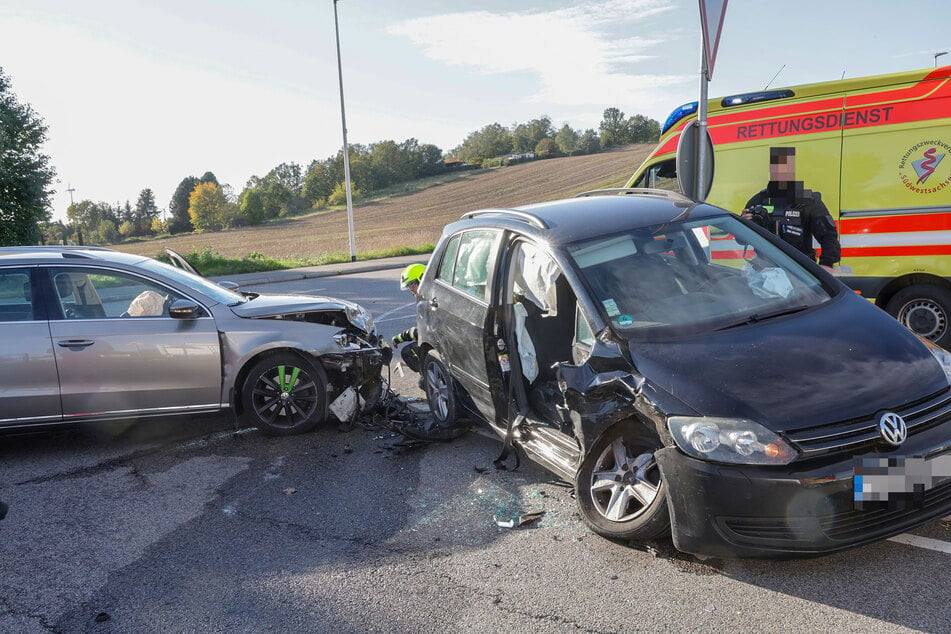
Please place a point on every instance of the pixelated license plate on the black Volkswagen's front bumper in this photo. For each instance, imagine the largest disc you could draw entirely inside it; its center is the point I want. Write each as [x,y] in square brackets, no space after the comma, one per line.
[897,481]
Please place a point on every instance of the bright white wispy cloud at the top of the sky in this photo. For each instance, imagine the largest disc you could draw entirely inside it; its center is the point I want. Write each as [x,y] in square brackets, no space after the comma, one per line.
[572,53]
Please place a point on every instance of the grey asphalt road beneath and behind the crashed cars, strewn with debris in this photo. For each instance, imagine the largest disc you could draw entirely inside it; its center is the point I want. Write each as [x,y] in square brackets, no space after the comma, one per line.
[194,525]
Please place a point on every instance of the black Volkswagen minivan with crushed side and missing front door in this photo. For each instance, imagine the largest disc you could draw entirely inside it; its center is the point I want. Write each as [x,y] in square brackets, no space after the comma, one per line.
[690,373]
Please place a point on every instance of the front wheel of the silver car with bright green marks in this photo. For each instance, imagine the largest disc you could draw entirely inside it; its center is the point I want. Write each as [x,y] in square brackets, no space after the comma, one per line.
[285,394]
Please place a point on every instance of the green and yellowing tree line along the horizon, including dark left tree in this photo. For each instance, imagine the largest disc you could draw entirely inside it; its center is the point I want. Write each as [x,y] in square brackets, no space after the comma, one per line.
[204,204]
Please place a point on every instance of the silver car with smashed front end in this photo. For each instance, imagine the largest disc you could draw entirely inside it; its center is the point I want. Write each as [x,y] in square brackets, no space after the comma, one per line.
[92,334]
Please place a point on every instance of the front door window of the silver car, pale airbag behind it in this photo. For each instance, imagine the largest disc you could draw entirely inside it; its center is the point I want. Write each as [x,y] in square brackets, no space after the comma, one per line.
[102,294]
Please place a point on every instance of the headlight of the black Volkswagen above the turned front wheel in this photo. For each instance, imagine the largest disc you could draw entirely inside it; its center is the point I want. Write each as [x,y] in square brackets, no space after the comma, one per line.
[729,440]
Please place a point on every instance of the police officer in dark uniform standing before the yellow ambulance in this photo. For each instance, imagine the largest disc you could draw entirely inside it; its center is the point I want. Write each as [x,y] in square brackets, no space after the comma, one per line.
[794,213]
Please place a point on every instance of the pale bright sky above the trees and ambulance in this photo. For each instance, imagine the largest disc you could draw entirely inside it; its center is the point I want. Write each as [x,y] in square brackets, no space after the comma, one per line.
[143,93]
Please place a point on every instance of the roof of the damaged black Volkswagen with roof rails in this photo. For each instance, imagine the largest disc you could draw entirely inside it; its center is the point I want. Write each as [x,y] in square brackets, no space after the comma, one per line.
[590,214]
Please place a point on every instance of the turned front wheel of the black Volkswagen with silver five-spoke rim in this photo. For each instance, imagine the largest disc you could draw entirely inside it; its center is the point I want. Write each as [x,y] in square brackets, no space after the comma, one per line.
[619,489]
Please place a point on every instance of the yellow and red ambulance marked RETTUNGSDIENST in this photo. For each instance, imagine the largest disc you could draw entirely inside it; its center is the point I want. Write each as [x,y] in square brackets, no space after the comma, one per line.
[877,149]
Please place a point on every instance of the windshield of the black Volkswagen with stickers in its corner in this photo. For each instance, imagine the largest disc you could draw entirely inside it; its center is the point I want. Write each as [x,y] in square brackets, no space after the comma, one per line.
[693,276]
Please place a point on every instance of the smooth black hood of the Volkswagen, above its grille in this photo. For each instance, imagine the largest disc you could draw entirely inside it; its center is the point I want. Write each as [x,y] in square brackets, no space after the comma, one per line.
[839,361]
